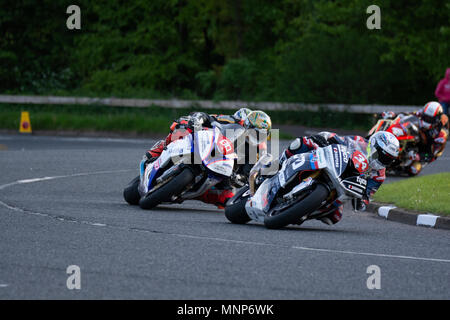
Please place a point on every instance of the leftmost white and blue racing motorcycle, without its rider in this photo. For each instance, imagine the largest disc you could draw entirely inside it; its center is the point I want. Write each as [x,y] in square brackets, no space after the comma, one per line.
[187,167]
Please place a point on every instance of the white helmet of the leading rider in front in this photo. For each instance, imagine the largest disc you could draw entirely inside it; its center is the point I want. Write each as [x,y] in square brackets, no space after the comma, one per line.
[382,150]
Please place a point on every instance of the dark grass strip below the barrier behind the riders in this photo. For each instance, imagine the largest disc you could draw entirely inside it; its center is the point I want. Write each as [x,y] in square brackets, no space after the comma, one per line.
[153,119]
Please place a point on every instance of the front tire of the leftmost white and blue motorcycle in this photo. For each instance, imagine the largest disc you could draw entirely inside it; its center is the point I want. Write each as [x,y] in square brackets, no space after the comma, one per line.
[163,194]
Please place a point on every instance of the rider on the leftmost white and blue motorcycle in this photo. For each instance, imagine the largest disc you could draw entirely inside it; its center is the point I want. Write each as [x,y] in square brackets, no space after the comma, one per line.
[258,120]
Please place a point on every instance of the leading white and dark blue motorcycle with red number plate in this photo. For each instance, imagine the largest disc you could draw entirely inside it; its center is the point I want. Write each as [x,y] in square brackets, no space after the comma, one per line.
[305,187]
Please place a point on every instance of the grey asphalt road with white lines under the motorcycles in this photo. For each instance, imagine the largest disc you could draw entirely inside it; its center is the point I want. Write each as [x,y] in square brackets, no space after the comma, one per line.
[61,204]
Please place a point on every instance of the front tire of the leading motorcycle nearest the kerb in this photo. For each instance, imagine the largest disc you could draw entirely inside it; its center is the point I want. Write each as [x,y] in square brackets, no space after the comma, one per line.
[294,213]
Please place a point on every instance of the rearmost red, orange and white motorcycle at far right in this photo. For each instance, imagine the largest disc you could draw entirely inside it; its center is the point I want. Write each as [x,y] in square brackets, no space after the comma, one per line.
[405,128]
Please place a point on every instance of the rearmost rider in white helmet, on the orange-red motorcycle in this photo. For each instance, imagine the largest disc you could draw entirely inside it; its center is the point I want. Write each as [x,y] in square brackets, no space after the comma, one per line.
[433,128]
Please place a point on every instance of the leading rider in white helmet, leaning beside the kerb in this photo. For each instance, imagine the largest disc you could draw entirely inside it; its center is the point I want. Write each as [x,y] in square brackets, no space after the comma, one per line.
[381,149]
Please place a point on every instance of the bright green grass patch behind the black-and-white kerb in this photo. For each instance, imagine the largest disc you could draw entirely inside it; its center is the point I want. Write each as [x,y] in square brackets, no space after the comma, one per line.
[426,193]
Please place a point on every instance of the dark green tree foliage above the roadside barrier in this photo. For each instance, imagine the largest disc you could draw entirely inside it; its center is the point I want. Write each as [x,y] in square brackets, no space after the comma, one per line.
[286,50]
